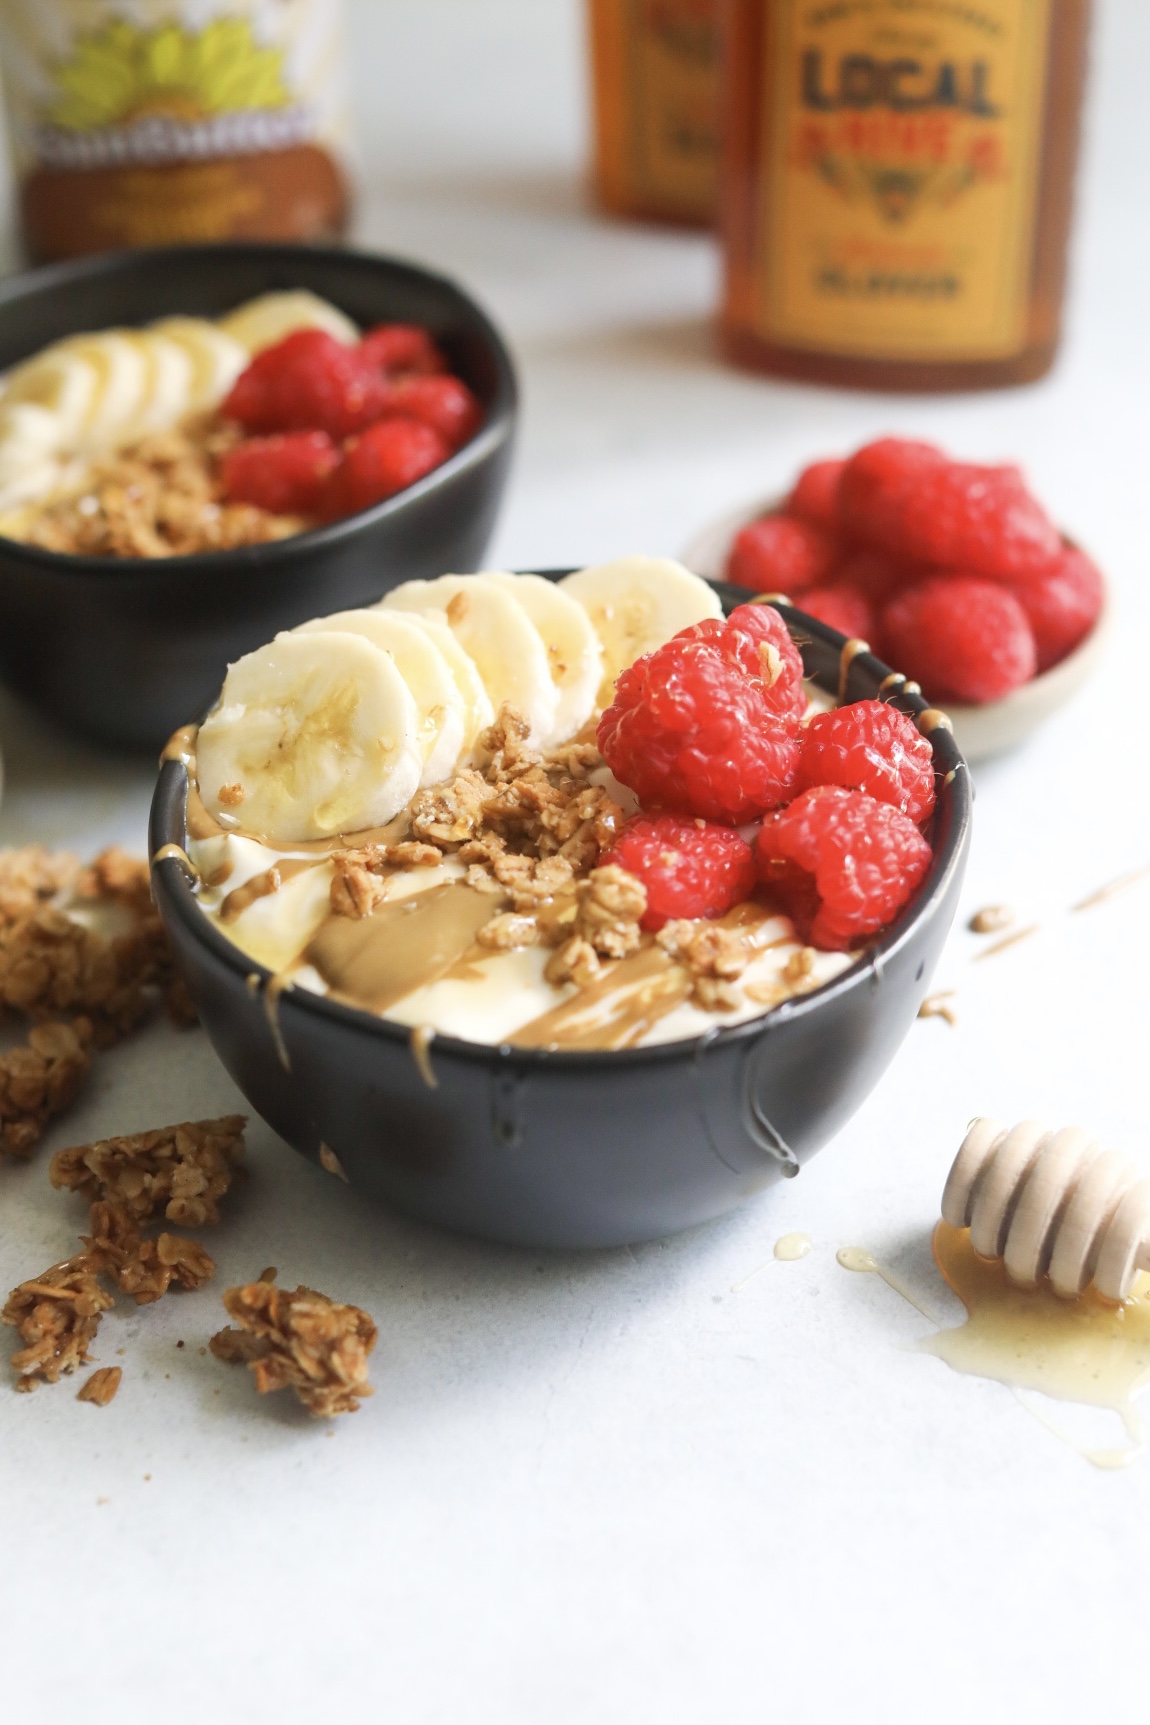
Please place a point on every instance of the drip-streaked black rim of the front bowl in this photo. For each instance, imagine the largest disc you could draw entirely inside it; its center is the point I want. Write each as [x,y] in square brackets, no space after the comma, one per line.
[168,825]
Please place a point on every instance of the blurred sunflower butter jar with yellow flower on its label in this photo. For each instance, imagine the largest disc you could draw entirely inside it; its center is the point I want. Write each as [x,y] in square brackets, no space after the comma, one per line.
[170,122]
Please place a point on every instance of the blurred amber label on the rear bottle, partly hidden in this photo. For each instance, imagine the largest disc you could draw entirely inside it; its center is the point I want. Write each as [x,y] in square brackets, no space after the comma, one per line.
[673,103]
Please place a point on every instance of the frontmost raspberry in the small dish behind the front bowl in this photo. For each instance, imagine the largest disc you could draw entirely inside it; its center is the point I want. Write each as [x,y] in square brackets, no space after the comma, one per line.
[961,639]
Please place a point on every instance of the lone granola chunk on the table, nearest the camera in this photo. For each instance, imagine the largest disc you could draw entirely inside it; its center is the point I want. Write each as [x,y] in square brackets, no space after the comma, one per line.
[303,1341]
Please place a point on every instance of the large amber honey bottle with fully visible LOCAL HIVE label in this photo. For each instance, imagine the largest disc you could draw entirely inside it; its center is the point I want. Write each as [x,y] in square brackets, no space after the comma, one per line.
[897,187]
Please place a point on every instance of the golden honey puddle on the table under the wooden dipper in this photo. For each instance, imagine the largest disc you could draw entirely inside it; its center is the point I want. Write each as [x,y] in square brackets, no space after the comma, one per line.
[1082,1352]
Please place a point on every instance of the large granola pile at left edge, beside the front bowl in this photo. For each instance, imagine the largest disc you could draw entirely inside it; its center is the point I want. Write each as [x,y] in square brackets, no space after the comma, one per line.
[80,988]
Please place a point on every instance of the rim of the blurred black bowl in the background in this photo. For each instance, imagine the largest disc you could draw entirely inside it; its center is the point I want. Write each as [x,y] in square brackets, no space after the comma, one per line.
[494,432]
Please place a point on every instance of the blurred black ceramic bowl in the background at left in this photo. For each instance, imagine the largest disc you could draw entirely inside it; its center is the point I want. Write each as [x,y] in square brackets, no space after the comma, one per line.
[125,651]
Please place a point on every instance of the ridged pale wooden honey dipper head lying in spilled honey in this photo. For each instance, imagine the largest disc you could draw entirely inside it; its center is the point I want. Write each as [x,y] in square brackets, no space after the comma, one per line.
[1051,1205]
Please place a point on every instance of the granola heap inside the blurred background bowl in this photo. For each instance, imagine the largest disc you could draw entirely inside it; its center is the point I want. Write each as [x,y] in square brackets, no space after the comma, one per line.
[163,498]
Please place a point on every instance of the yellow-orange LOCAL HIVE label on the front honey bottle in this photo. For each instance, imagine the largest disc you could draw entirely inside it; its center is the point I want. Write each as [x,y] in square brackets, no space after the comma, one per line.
[901,156]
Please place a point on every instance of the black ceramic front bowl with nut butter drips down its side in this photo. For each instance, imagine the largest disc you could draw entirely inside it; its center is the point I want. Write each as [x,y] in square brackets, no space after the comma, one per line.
[572,1148]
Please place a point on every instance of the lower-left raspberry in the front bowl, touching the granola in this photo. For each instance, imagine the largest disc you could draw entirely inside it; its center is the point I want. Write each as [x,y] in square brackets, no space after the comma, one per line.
[689,869]
